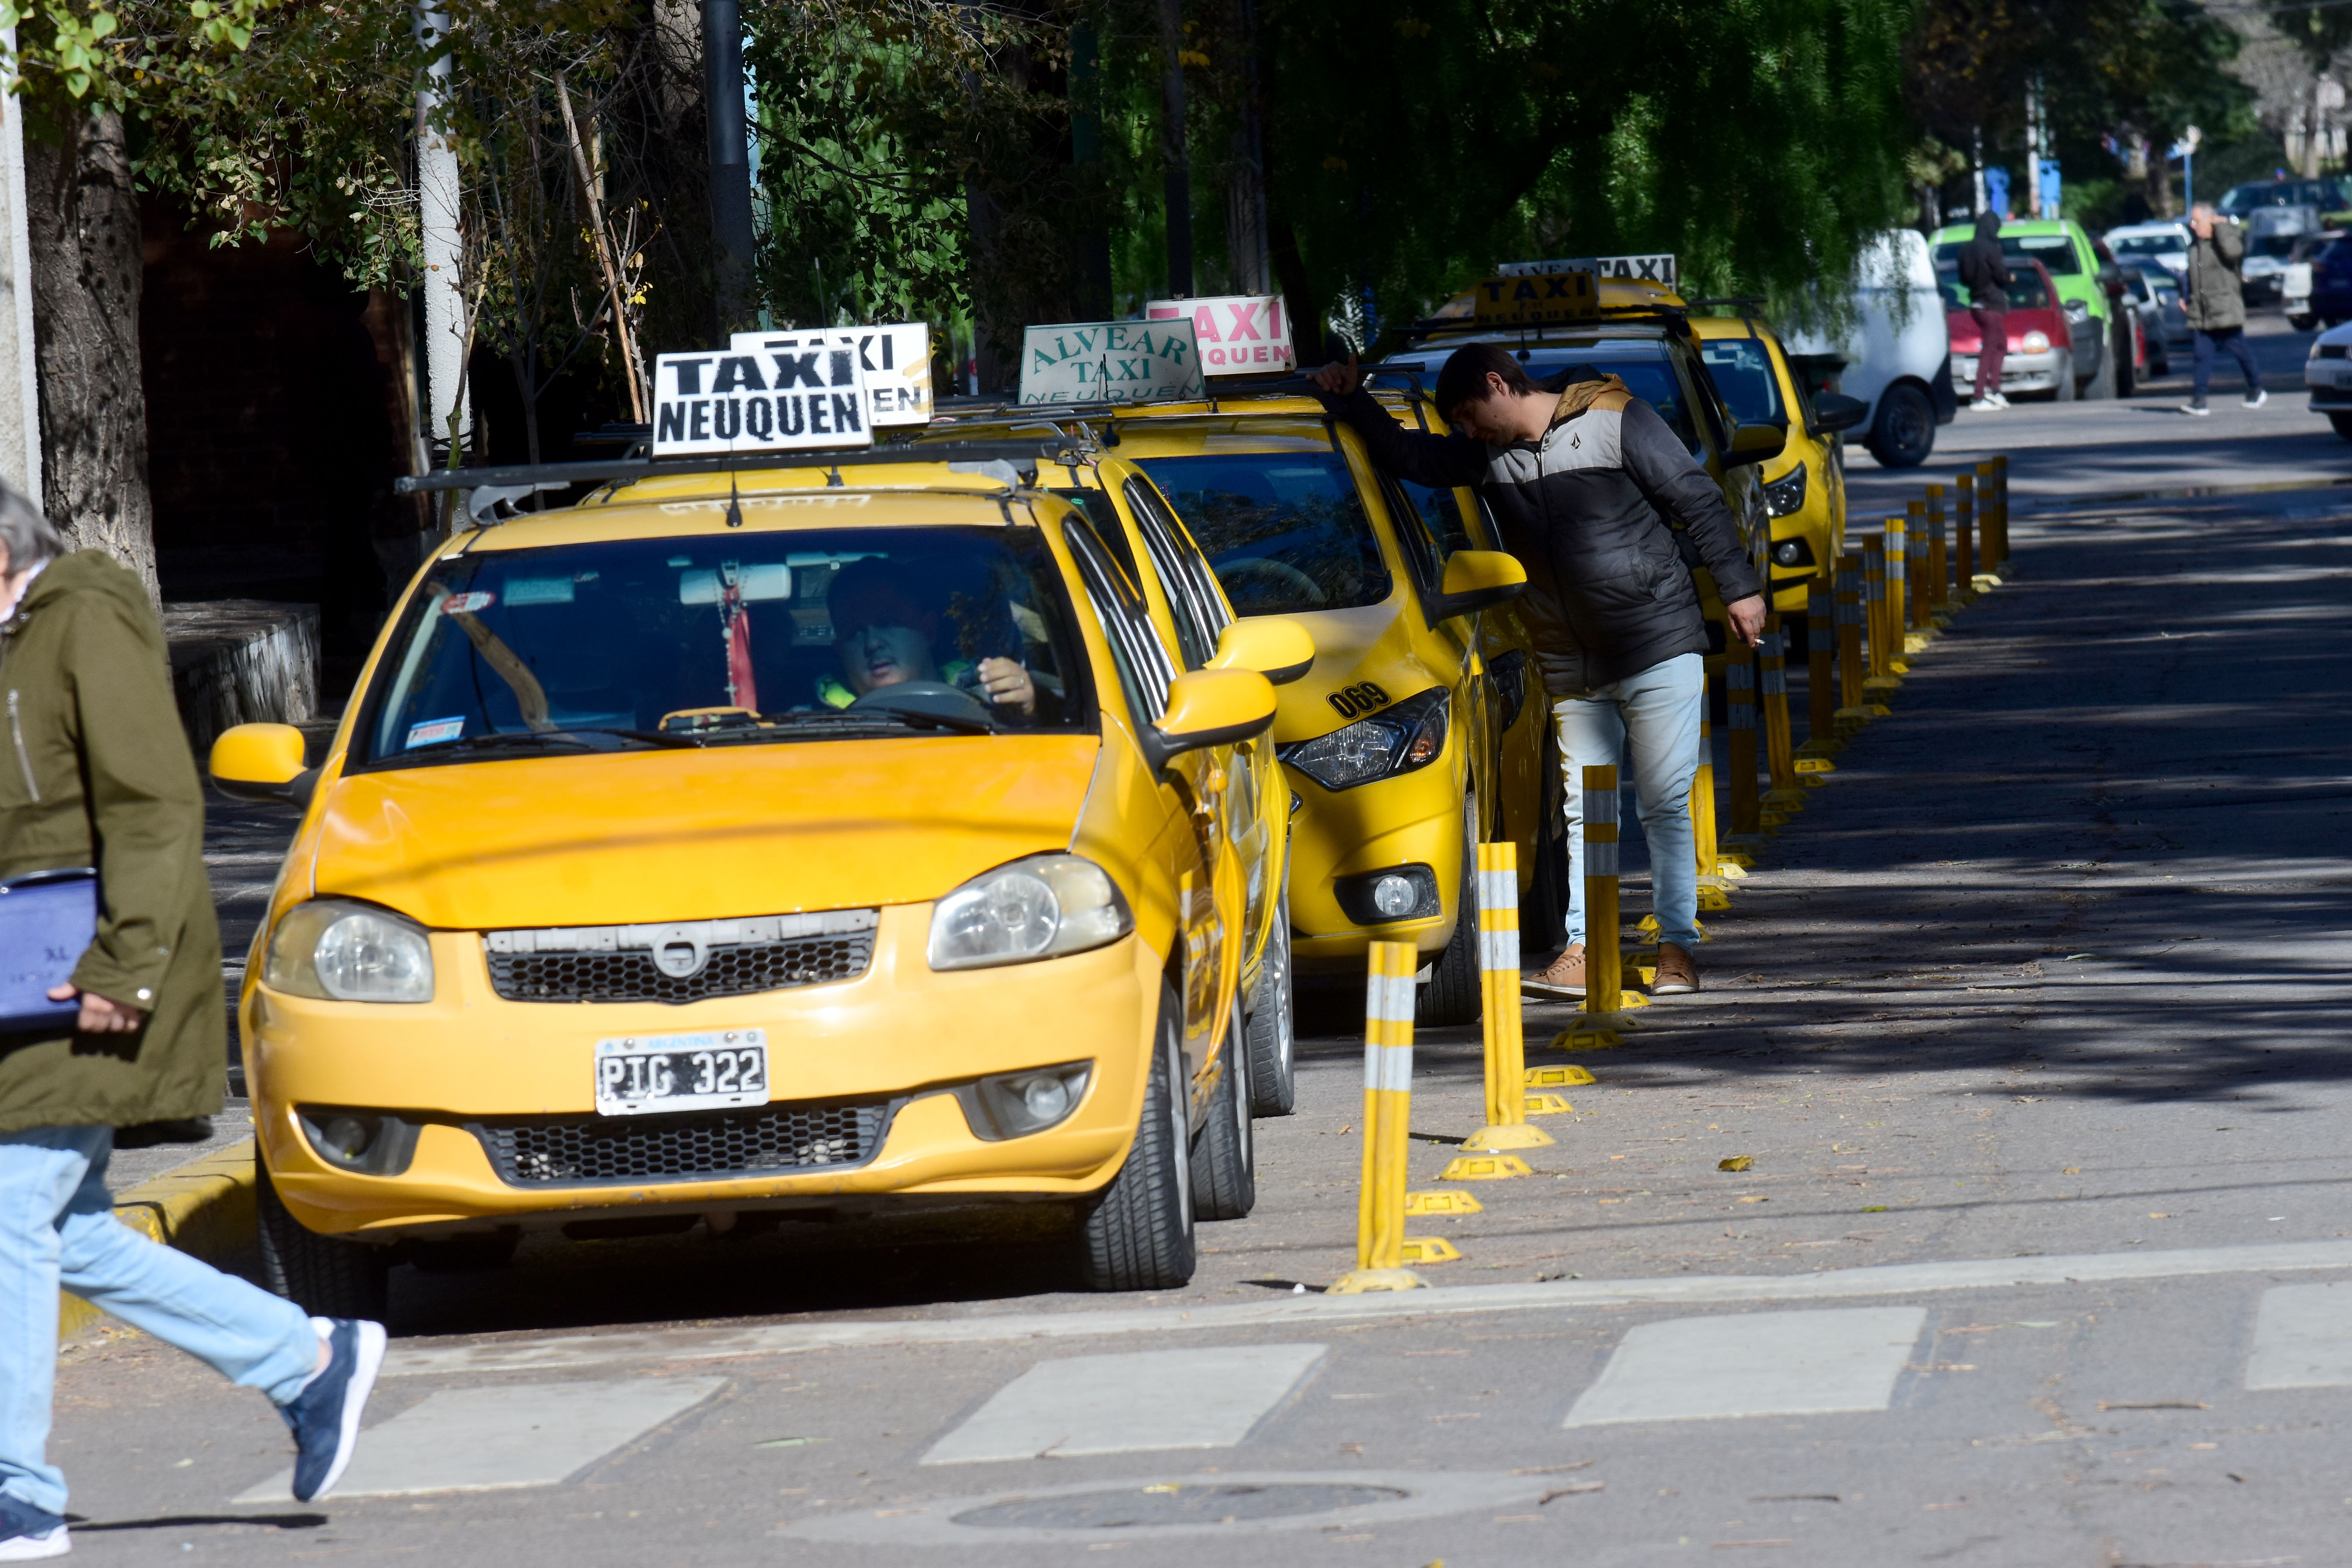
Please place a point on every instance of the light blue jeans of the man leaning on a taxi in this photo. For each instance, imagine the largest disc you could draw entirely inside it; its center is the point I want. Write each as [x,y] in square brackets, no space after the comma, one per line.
[1650,728]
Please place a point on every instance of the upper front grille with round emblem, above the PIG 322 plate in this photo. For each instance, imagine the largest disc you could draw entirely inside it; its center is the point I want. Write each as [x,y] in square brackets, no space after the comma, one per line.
[688,963]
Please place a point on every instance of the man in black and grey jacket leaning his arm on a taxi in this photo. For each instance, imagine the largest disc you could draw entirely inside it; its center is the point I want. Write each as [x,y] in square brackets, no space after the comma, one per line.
[1582,483]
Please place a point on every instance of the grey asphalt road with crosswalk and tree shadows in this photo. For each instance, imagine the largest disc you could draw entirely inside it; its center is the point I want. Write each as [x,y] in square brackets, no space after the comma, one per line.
[2033,1036]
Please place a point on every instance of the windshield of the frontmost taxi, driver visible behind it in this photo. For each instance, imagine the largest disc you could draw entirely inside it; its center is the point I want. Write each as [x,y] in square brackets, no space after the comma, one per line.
[777,636]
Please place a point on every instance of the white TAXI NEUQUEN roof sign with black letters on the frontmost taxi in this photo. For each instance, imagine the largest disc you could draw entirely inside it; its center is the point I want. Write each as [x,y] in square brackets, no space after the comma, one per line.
[768,401]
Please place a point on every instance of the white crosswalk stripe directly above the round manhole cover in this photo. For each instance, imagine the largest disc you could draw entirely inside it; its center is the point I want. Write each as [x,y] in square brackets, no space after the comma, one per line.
[1130,1405]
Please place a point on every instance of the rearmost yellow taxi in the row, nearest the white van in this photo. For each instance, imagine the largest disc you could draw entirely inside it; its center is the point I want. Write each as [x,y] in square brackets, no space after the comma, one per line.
[1805,483]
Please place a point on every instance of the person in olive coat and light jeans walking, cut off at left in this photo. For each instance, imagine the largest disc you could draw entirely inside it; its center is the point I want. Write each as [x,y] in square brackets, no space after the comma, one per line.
[100,777]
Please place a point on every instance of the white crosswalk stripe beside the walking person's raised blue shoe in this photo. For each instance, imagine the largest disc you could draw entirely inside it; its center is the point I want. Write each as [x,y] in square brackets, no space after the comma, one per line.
[497,1438]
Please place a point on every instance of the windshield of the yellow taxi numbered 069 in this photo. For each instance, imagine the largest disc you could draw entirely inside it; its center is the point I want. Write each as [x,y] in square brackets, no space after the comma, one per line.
[1283,530]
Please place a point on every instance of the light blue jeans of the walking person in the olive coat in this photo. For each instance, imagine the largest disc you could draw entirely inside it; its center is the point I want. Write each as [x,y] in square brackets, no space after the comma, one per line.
[58,1226]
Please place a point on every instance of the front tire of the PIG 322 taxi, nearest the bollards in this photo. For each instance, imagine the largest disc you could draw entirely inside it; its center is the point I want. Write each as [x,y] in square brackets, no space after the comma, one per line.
[1137,1233]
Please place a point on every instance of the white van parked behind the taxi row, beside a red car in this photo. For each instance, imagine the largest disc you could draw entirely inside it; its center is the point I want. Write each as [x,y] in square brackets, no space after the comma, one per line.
[1897,356]
